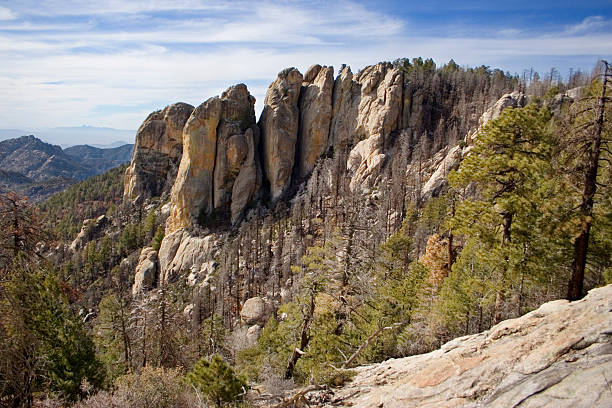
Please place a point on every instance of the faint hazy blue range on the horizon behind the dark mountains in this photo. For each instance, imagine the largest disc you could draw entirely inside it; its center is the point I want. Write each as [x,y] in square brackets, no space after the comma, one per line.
[101,137]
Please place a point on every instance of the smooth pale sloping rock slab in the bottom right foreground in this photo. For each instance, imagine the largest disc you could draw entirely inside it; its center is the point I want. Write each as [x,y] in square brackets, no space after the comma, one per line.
[558,355]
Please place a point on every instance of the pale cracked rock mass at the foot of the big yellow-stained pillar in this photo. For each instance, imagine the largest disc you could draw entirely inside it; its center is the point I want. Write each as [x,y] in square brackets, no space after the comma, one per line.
[181,251]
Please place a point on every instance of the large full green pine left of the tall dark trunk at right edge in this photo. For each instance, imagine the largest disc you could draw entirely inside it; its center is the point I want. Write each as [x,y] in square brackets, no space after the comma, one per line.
[510,165]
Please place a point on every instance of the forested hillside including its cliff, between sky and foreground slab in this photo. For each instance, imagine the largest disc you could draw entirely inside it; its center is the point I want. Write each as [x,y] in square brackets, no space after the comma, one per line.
[441,201]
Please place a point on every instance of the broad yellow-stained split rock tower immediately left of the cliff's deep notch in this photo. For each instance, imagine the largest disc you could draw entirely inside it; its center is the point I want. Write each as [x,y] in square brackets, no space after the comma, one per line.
[217,140]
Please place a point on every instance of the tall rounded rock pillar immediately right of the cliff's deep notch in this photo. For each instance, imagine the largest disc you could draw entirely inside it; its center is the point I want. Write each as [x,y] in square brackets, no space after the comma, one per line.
[279,129]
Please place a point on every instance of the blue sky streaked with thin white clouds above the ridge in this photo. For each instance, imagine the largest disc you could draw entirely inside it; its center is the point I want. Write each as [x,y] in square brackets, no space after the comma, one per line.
[109,63]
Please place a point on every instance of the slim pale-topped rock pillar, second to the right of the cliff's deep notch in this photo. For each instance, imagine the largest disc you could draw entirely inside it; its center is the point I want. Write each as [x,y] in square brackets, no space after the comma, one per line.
[315,106]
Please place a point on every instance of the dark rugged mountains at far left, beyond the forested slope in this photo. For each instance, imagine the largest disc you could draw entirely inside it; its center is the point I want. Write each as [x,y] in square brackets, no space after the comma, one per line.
[37,169]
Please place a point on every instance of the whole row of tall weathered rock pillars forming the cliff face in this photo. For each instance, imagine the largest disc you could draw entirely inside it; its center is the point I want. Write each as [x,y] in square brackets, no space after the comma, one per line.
[381,125]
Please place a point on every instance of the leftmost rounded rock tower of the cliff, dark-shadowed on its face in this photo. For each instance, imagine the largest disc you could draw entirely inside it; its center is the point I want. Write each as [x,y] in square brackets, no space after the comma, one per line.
[157,152]
